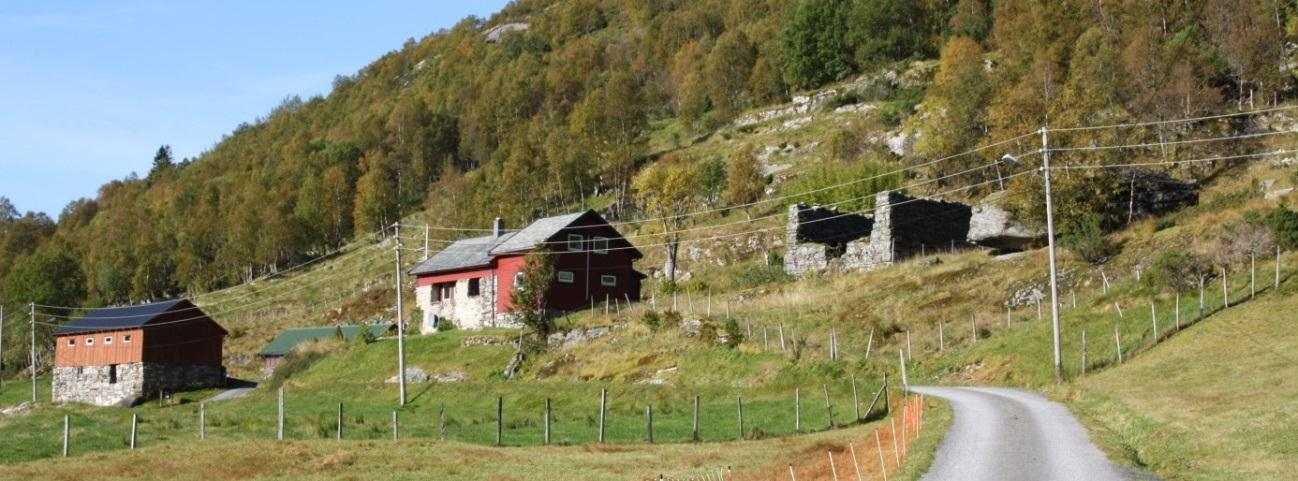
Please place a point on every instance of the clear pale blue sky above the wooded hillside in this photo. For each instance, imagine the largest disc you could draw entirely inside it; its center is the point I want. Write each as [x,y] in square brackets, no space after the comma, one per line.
[89,90]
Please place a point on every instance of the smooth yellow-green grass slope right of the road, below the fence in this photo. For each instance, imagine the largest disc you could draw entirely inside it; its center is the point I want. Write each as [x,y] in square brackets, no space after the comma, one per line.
[1213,404]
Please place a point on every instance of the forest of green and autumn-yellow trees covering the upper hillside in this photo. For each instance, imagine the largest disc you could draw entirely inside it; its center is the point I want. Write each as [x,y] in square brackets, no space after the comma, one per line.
[550,106]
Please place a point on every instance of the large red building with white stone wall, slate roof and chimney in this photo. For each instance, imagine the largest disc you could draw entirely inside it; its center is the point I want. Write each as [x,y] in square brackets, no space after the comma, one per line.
[472,282]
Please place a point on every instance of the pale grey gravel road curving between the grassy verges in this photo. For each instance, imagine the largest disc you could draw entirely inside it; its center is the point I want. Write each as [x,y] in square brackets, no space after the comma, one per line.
[1012,435]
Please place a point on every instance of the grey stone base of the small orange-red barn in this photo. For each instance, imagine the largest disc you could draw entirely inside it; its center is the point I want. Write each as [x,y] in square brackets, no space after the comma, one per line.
[129,384]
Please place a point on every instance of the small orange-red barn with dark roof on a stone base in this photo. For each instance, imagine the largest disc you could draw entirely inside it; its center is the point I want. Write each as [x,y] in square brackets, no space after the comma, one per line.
[121,356]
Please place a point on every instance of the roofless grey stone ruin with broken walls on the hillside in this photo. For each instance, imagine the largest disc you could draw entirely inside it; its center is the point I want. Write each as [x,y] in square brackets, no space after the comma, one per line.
[821,239]
